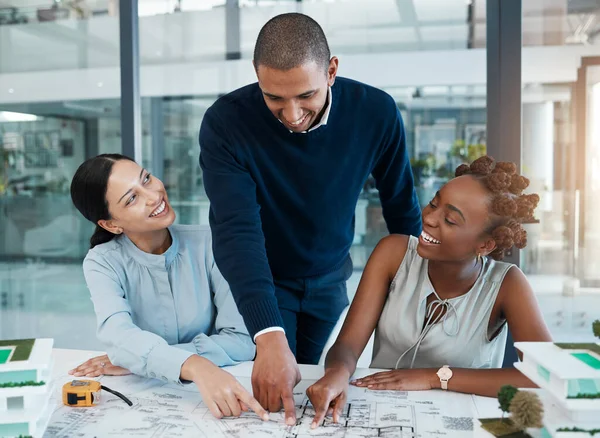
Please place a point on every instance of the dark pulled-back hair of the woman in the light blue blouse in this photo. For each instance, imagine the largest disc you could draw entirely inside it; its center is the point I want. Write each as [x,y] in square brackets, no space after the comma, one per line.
[88,193]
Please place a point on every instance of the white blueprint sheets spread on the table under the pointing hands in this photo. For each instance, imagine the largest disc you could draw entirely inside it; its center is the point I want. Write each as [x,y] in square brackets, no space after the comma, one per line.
[166,410]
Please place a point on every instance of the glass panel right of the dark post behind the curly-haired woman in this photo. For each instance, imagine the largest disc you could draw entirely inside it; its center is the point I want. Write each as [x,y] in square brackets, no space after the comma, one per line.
[559,156]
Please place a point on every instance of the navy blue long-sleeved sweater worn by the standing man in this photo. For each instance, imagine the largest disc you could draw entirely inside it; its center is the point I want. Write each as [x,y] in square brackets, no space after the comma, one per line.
[282,203]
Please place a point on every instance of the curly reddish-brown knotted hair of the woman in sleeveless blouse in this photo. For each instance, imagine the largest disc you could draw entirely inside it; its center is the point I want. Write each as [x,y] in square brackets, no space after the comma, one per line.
[509,205]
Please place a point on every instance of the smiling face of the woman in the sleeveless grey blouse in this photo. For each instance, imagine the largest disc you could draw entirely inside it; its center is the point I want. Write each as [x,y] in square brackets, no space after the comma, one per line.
[455,222]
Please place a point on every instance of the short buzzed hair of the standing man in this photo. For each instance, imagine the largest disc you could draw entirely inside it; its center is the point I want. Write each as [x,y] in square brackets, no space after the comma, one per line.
[291,40]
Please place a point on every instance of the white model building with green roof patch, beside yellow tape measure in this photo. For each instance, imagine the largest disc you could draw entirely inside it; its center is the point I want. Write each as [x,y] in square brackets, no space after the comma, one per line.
[25,369]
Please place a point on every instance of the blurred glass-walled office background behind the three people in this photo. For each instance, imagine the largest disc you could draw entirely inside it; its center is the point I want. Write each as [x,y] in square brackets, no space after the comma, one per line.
[60,104]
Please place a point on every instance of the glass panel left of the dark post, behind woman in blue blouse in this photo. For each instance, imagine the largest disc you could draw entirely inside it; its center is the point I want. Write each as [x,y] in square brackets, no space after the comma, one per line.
[59,104]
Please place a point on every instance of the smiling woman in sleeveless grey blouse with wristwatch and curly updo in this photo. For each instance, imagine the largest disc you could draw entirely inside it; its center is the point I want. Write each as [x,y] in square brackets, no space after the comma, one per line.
[441,305]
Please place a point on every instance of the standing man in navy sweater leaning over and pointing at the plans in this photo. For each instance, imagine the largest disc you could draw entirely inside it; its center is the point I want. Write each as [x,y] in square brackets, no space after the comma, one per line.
[284,161]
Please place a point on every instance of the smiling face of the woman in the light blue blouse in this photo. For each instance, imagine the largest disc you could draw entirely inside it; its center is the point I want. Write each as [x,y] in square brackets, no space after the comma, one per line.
[137,201]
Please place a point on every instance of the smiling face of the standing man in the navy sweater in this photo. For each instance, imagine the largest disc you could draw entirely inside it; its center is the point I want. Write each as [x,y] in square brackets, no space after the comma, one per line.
[297,96]
